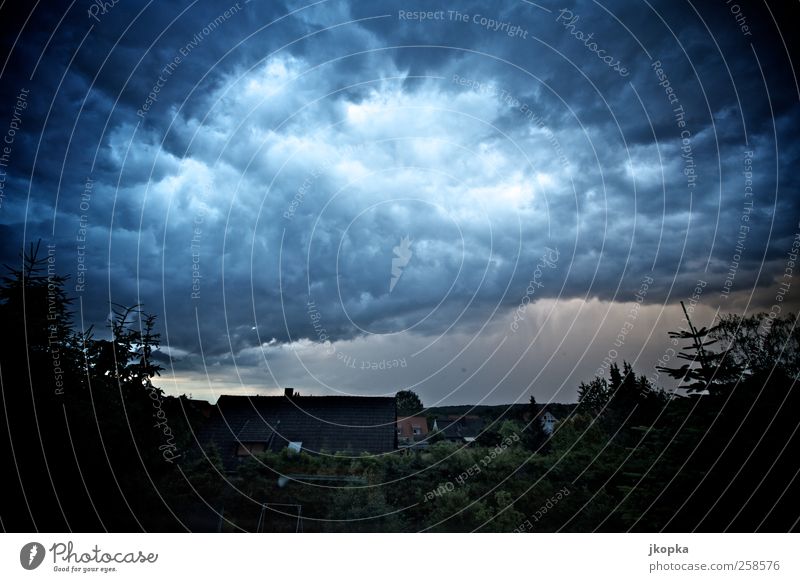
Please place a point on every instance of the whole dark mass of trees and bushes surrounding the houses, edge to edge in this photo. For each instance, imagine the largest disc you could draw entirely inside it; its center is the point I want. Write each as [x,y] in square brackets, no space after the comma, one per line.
[94,445]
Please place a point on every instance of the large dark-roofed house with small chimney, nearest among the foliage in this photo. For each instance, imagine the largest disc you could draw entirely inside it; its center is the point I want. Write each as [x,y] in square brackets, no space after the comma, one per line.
[242,426]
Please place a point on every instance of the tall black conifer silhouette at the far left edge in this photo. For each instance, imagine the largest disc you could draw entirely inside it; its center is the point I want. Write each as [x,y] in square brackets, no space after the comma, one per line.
[37,370]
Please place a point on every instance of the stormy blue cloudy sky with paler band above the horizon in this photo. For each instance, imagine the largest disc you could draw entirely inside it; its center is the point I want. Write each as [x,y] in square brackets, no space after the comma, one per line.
[478,201]
